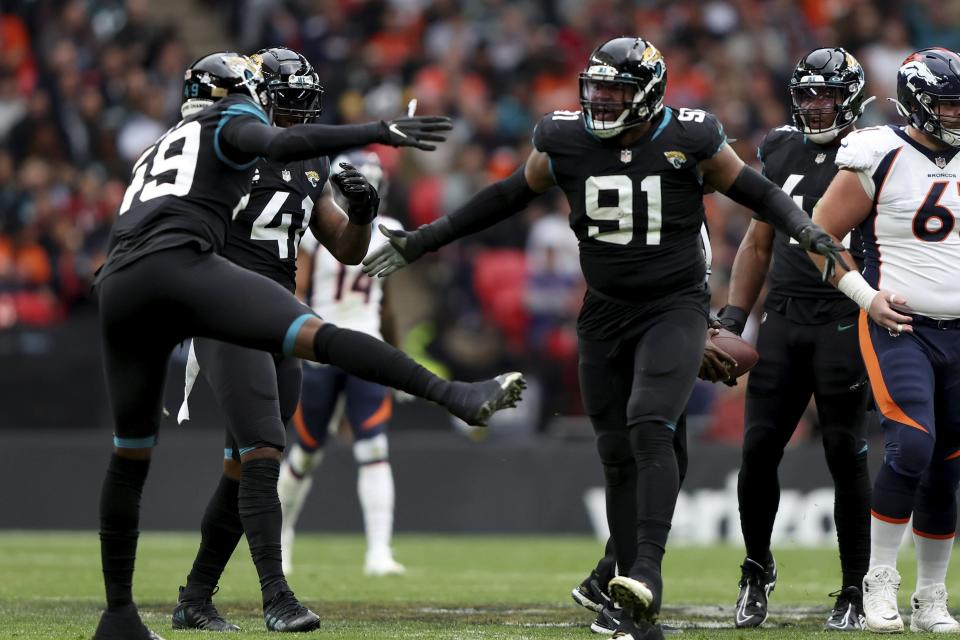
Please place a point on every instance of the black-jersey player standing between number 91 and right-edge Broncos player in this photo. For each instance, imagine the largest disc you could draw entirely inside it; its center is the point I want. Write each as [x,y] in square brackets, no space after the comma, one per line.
[808,343]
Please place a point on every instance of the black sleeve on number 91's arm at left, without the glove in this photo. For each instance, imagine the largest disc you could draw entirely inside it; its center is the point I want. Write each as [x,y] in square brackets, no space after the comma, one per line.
[486,208]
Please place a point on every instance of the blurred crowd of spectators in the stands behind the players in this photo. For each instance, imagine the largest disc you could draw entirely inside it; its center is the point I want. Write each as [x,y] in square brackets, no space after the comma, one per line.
[85,86]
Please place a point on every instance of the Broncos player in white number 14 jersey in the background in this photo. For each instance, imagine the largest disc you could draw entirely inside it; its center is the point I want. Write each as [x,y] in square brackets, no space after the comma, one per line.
[344,293]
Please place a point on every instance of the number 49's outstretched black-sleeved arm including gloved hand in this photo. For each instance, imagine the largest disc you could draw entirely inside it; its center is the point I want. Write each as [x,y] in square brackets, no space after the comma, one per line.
[246,137]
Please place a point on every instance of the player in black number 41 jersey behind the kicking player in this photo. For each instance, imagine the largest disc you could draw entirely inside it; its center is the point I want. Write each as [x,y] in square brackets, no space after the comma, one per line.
[259,390]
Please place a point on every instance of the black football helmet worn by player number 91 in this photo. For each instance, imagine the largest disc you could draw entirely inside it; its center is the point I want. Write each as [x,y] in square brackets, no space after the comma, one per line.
[622,86]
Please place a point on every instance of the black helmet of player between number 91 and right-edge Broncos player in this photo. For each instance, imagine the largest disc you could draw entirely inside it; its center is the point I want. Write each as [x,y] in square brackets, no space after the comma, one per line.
[826,93]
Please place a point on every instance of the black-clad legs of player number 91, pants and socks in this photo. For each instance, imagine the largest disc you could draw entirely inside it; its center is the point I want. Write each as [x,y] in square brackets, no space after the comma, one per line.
[634,391]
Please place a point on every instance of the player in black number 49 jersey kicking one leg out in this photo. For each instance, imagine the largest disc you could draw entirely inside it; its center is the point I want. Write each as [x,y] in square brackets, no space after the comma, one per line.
[164,281]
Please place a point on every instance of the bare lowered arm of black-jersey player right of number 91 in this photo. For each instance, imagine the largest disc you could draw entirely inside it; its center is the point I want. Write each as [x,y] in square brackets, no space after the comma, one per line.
[748,275]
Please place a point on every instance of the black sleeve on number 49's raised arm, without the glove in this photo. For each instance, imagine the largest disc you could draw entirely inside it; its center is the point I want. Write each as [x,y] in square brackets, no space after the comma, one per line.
[248,137]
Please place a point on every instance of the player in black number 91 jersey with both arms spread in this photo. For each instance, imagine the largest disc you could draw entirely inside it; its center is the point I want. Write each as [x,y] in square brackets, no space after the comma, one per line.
[634,174]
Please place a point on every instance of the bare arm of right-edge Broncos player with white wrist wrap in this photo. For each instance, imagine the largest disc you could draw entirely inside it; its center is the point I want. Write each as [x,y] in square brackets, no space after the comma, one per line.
[845,205]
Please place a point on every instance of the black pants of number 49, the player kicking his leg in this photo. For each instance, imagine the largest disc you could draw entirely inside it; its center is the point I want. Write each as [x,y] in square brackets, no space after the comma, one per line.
[166,297]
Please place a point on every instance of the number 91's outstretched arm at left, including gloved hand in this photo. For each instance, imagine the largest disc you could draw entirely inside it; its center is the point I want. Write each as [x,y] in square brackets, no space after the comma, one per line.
[489,206]
